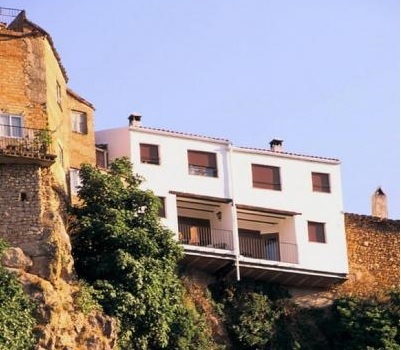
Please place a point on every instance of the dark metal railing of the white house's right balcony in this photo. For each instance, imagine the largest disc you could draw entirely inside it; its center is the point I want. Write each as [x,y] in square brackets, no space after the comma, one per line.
[262,248]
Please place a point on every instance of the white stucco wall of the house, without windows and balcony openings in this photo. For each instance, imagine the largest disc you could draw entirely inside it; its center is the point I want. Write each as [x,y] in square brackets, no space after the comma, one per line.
[234,181]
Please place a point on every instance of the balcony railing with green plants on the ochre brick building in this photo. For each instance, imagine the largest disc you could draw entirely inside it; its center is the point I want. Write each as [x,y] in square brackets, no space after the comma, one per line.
[25,142]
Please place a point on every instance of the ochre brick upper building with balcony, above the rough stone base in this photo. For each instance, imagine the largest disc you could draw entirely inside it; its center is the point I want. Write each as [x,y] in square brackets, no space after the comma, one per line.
[41,119]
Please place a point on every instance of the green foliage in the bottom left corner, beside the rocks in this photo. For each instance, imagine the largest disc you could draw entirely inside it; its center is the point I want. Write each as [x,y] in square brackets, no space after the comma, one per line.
[16,313]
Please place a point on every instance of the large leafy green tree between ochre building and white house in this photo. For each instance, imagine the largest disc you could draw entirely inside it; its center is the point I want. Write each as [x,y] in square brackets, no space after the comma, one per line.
[123,251]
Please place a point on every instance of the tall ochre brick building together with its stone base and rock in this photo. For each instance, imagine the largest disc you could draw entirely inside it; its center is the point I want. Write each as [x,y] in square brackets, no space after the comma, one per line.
[46,132]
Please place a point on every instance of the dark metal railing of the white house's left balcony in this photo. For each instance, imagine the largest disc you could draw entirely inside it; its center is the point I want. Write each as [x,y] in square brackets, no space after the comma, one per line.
[205,237]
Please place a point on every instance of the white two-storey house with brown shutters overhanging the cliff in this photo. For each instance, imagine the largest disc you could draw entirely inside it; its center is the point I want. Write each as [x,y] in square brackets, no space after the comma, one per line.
[263,214]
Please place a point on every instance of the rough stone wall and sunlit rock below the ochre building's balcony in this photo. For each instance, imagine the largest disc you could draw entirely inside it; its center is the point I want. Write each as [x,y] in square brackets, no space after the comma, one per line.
[41,258]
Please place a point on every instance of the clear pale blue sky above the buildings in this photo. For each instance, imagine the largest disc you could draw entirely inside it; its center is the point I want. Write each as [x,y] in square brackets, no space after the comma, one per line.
[322,75]
